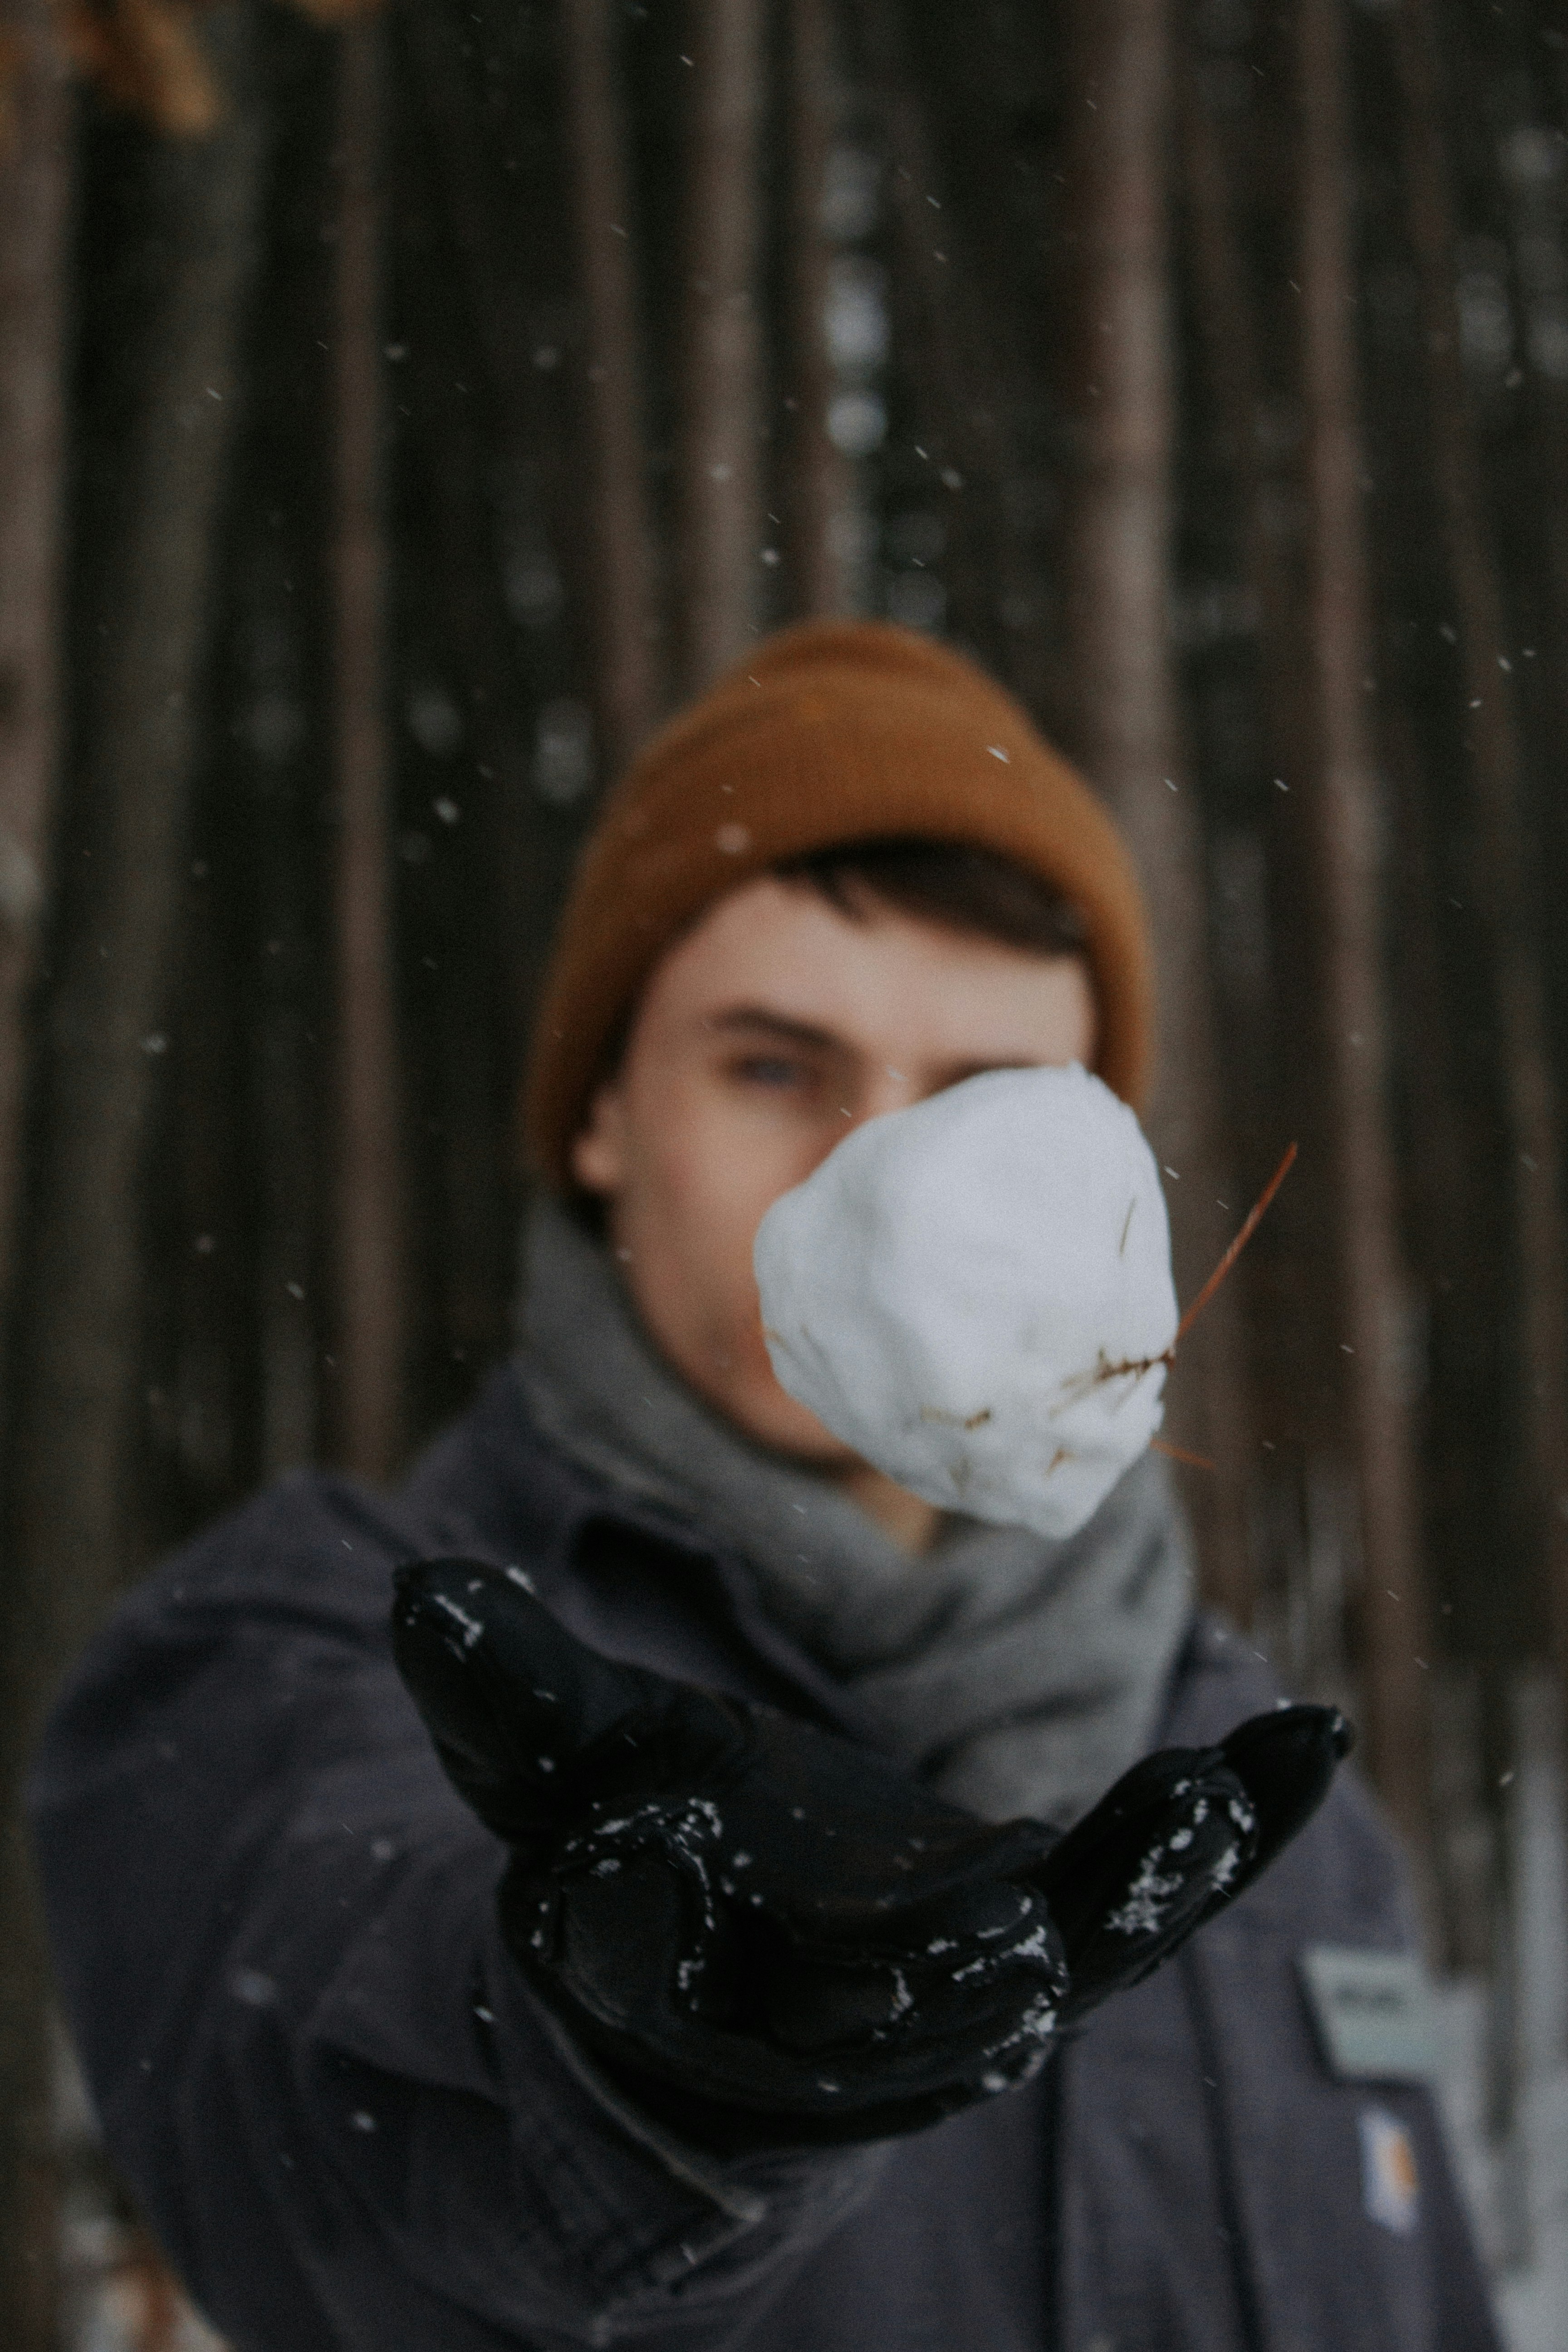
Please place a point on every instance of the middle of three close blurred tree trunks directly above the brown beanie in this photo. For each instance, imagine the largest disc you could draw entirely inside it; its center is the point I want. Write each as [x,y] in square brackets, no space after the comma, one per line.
[721,436]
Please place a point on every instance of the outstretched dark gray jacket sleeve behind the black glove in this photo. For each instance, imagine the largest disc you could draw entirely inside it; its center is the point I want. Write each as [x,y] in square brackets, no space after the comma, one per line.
[311,2057]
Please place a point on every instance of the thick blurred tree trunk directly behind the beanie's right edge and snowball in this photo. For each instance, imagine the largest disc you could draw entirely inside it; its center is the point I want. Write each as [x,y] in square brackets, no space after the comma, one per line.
[1118,563]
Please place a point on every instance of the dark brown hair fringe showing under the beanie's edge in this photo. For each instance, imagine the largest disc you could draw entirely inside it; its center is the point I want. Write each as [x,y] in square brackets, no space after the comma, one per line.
[956,886]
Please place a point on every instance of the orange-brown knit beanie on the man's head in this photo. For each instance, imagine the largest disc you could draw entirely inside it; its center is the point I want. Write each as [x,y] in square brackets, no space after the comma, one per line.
[829,733]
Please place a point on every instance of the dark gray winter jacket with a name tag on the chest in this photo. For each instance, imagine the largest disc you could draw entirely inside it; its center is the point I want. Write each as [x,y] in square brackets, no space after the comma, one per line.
[354,2130]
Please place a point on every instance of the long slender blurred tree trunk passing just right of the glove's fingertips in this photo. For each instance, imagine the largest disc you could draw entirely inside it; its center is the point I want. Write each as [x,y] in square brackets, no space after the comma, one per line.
[1343,813]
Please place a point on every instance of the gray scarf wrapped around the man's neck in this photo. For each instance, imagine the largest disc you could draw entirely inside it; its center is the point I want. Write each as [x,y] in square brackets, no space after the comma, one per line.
[1014,1673]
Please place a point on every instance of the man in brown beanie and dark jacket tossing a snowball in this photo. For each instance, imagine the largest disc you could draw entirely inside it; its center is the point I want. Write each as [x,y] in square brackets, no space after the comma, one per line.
[354,2102]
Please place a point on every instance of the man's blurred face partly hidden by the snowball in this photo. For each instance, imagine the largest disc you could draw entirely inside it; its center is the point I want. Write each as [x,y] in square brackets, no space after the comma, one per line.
[760,1041]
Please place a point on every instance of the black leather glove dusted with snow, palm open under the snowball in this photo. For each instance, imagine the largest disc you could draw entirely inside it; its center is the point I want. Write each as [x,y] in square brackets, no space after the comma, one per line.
[770,1935]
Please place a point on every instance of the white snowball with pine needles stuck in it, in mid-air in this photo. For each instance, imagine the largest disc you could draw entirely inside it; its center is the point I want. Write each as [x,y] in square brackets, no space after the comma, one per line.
[958,1290]
